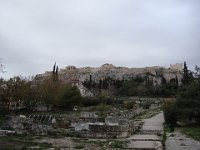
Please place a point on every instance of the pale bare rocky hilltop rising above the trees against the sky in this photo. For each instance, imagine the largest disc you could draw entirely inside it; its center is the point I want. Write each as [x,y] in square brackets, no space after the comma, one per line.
[74,75]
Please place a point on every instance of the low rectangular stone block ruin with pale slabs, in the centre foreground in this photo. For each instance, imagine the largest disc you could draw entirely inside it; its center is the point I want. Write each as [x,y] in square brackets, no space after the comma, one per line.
[91,126]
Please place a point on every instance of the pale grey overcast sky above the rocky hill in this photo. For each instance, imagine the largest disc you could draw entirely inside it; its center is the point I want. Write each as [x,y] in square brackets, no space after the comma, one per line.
[34,34]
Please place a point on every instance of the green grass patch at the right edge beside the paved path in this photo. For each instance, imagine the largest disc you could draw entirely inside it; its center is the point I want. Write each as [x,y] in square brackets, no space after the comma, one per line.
[193,132]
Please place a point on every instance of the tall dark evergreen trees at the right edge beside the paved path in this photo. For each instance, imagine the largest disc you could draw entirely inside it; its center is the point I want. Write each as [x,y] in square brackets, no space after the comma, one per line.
[186,107]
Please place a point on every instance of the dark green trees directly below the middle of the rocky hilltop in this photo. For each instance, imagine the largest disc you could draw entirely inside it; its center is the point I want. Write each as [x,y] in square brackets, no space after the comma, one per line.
[133,86]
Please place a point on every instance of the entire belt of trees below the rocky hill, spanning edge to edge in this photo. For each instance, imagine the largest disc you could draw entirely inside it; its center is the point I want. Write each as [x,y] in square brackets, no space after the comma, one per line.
[55,94]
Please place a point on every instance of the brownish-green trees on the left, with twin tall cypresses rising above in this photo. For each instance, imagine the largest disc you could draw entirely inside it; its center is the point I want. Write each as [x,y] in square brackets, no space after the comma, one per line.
[50,92]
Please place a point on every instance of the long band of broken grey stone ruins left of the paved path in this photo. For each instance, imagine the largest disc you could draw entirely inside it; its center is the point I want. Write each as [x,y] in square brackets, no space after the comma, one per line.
[118,124]
